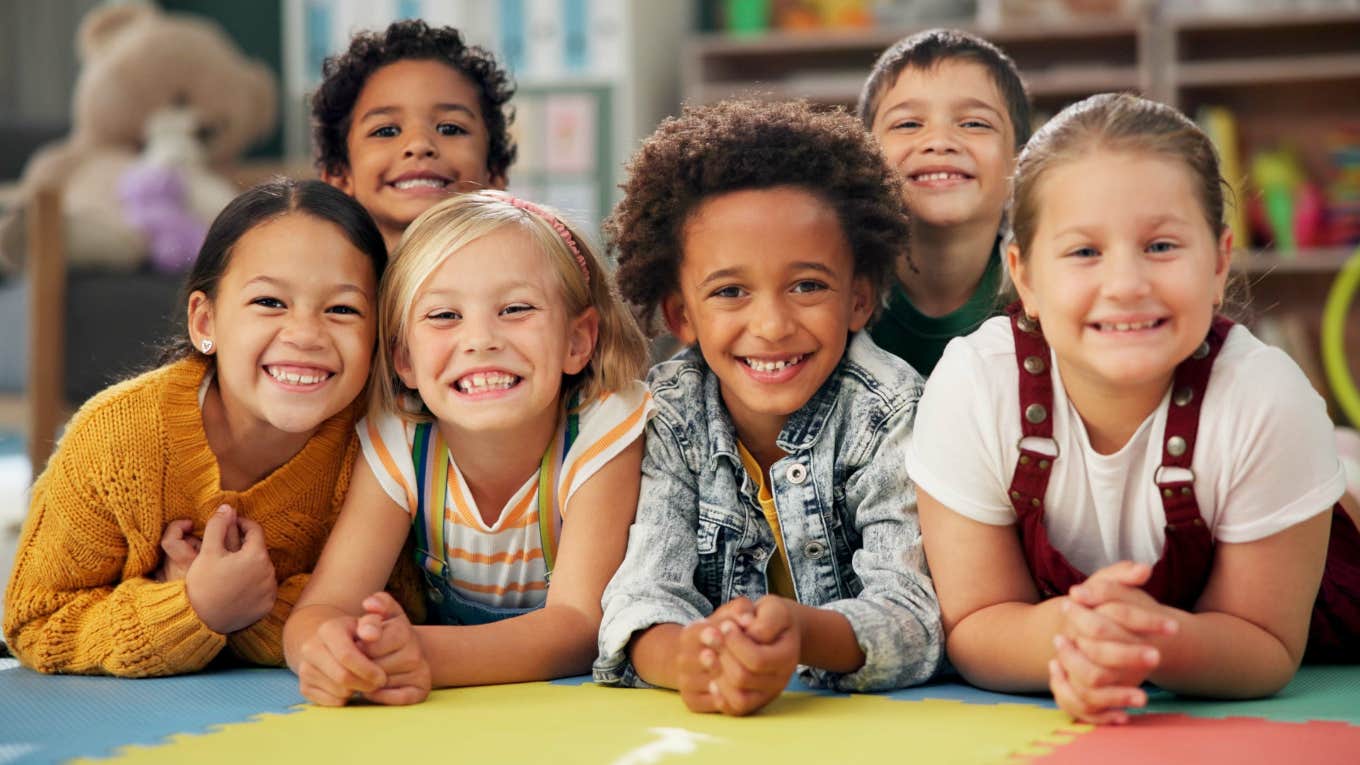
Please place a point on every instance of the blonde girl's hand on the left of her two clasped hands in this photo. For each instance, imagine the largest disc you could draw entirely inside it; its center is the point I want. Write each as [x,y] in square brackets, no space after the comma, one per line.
[333,666]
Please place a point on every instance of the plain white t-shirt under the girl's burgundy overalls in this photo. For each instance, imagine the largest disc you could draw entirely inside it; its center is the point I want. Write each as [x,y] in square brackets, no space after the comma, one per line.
[1264,458]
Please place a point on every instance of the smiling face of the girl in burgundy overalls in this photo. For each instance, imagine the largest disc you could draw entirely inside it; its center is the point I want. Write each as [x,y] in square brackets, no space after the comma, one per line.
[1124,272]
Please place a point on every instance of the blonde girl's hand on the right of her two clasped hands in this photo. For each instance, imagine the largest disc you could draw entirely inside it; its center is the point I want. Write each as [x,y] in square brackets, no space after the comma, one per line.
[387,638]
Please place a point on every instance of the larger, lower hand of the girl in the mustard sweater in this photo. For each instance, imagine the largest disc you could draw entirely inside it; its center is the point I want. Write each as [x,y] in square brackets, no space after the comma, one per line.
[232,590]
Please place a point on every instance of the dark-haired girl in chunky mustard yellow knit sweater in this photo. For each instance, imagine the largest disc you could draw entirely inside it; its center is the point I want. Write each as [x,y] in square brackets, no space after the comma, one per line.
[184,508]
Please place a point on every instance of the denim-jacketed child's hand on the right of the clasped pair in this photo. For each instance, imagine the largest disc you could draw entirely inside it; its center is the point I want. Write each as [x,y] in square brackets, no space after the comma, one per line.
[758,657]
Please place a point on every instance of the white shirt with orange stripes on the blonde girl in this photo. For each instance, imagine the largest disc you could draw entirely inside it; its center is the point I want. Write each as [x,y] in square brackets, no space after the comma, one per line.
[501,564]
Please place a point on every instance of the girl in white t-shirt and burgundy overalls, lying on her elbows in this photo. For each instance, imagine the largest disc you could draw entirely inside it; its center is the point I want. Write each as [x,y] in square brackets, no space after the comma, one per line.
[1117,485]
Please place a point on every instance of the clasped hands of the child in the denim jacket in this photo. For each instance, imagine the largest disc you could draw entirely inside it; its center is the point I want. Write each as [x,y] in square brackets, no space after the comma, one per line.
[741,658]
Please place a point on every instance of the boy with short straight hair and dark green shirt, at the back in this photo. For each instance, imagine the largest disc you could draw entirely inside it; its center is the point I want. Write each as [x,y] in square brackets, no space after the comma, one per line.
[951,114]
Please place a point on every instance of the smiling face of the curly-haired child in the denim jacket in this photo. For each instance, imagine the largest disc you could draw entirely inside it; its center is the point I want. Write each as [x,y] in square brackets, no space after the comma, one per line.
[769,292]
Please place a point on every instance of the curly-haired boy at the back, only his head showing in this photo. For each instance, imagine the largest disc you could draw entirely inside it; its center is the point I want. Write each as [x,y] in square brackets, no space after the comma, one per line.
[410,116]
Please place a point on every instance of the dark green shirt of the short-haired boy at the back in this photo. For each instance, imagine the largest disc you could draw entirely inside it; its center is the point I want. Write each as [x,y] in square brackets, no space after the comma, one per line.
[920,340]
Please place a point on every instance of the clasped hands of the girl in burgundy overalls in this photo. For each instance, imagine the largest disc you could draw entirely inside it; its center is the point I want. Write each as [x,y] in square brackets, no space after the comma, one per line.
[1105,650]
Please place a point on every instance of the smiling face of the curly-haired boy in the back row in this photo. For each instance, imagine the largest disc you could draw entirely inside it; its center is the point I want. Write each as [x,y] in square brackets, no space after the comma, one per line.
[417,135]
